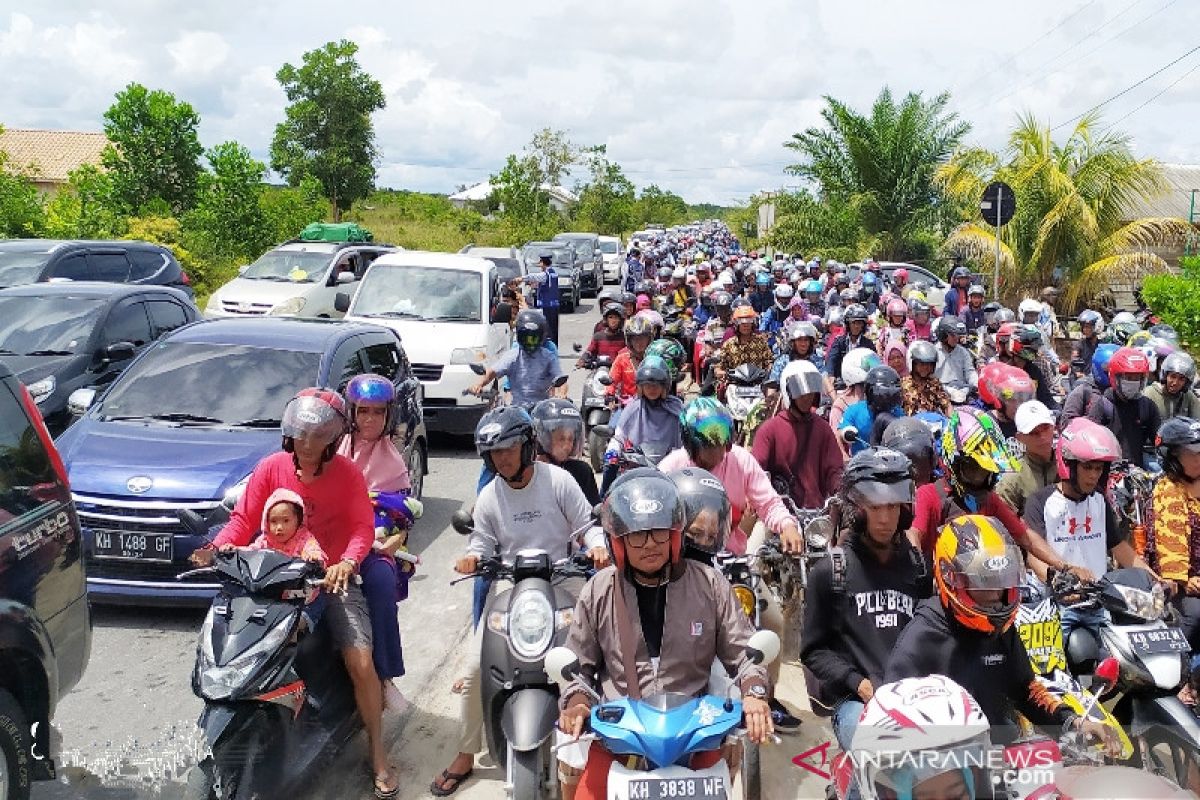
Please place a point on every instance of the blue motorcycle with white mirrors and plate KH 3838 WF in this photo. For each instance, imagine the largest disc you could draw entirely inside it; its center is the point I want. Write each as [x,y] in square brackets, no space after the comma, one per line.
[657,736]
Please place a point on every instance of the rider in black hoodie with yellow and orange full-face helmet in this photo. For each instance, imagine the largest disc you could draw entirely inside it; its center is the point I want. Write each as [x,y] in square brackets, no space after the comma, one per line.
[967,633]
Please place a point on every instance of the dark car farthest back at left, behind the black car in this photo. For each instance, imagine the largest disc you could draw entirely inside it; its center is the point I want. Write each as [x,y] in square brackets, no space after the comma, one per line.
[32,261]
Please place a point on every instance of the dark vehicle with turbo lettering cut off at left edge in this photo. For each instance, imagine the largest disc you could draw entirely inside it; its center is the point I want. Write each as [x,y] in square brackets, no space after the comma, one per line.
[45,623]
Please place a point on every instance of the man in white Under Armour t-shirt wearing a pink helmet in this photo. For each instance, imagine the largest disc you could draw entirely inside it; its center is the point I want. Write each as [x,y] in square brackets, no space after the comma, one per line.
[1075,516]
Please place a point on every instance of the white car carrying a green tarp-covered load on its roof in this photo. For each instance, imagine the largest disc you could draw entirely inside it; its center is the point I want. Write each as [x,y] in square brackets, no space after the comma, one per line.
[301,279]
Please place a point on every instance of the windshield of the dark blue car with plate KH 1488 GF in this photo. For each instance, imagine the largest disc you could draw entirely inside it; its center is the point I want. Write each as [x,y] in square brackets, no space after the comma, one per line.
[225,384]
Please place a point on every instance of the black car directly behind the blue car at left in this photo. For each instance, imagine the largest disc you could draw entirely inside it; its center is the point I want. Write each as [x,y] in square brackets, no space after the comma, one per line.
[59,338]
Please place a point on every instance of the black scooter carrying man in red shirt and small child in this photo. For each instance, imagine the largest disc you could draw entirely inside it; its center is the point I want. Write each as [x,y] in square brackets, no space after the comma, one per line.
[277,700]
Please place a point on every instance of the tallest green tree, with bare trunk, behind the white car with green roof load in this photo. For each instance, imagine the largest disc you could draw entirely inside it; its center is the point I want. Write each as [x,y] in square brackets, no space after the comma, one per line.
[328,131]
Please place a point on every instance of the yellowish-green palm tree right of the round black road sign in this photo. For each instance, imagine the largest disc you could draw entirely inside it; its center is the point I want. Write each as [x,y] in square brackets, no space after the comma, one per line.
[1072,202]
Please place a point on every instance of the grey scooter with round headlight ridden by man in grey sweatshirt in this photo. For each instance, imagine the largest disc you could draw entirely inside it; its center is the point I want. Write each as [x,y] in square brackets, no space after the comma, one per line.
[521,625]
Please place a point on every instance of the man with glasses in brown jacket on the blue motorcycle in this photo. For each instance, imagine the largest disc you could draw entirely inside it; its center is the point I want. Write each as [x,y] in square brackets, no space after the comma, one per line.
[679,615]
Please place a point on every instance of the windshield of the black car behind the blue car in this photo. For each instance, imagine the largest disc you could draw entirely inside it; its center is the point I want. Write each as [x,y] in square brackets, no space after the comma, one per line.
[47,324]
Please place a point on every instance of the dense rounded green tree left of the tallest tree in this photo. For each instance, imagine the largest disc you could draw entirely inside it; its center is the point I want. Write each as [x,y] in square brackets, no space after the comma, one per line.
[155,152]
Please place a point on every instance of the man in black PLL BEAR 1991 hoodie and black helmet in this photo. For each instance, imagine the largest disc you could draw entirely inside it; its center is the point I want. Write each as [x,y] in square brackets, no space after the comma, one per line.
[863,596]
